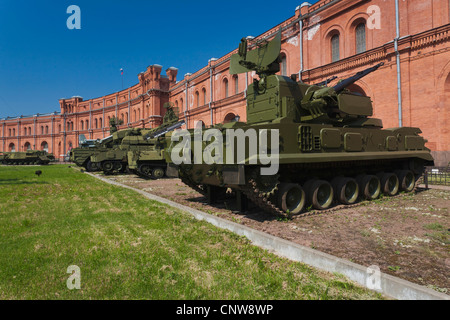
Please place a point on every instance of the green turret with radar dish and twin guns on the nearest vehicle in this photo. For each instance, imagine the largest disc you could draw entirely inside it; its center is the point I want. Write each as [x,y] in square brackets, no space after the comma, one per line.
[275,98]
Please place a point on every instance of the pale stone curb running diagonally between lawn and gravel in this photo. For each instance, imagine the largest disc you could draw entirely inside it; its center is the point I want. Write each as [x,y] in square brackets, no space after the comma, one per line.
[388,285]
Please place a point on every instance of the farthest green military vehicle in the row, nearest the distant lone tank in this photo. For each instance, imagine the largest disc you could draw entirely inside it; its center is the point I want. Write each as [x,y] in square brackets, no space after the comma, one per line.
[81,155]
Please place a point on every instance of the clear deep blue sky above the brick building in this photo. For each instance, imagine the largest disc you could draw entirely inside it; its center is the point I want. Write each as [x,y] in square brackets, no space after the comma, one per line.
[41,60]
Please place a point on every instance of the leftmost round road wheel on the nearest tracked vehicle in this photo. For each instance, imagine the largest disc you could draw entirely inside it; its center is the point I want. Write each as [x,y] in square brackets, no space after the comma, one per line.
[291,198]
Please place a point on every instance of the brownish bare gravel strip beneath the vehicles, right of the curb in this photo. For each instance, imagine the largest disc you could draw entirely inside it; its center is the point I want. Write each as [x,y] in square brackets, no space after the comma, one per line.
[406,236]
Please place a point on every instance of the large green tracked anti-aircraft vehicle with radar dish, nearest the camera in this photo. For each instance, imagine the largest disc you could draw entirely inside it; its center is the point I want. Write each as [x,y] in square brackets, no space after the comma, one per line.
[329,148]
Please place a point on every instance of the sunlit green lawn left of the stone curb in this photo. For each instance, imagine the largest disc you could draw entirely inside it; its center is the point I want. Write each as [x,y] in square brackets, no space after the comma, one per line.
[129,247]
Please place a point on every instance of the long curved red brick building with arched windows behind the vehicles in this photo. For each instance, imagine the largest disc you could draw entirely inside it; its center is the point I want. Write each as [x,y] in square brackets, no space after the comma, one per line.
[337,38]
